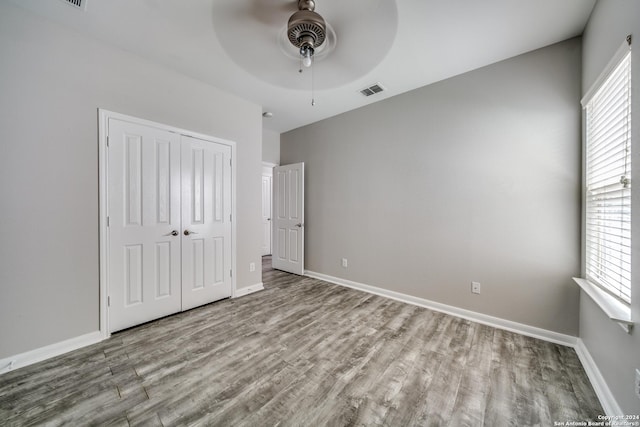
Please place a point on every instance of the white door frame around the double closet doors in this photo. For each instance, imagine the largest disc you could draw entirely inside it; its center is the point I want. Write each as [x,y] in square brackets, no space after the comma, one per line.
[103,199]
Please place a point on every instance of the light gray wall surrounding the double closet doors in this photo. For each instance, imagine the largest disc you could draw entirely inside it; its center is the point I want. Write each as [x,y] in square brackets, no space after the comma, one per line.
[52,81]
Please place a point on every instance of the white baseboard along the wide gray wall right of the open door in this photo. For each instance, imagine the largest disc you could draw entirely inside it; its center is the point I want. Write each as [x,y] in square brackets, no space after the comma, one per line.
[496,322]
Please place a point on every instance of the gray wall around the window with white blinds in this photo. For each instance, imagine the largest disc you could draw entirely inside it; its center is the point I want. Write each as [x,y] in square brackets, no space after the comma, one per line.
[616,353]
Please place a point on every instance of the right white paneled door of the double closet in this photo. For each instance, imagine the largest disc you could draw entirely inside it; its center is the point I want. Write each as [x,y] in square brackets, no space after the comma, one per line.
[206,222]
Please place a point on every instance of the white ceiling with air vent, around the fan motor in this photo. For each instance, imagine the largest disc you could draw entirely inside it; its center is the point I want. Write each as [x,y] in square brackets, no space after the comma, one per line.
[405,44]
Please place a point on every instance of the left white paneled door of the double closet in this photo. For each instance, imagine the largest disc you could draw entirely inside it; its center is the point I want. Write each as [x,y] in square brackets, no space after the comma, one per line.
[144,224]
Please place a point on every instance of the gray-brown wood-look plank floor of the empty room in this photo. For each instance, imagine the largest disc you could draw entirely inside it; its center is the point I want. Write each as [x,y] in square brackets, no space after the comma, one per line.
[305,353]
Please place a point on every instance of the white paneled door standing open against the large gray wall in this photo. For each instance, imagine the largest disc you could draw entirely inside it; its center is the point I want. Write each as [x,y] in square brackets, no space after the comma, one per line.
[288,218]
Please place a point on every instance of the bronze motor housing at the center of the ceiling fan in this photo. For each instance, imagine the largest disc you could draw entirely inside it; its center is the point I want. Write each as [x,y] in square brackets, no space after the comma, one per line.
[306,29]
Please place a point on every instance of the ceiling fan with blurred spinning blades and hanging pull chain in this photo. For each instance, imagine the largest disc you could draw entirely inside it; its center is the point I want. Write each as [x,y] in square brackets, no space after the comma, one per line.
[268,38]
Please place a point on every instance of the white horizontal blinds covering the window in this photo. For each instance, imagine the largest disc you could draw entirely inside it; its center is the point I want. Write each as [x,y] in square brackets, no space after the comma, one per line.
[608,181]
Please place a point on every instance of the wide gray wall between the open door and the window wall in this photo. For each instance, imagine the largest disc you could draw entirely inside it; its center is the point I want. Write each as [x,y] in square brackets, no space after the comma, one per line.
[473,178]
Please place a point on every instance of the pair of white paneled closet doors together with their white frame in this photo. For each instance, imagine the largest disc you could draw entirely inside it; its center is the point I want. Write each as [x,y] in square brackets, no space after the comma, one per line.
[156,183]
